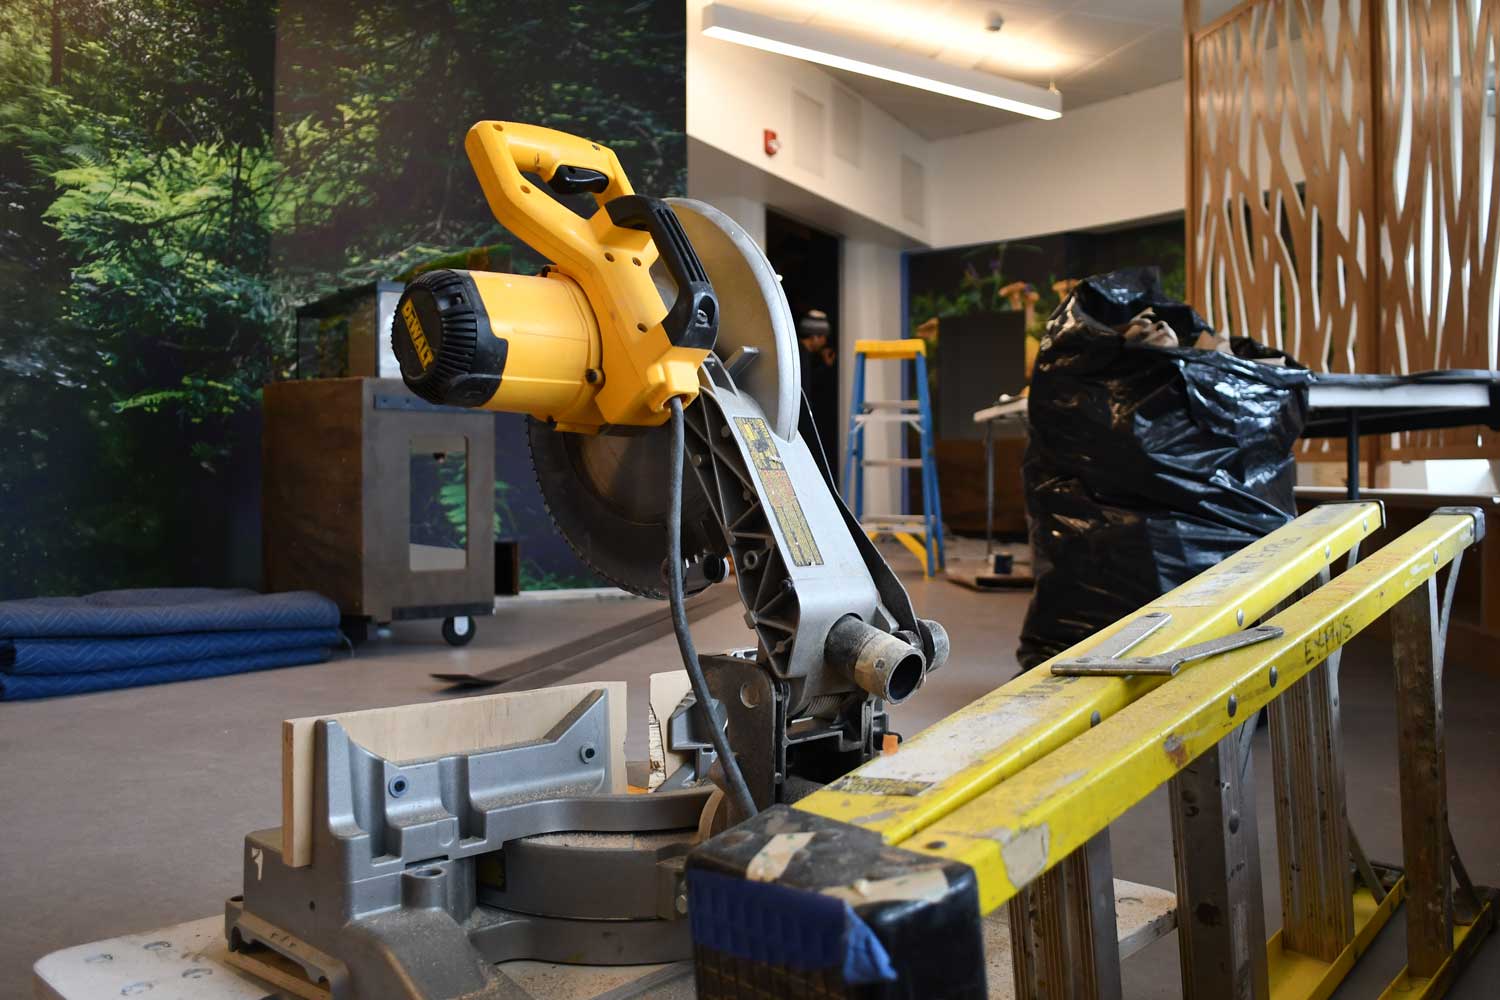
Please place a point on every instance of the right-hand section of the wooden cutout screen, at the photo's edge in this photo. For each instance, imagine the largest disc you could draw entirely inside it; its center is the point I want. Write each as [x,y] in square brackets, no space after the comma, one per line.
[1439,214]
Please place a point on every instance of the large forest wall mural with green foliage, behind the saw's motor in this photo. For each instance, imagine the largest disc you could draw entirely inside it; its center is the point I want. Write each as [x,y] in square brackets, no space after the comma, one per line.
[178,176]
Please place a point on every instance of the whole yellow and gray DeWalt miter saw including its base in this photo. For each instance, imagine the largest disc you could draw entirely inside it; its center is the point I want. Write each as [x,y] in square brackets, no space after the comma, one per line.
[658,340]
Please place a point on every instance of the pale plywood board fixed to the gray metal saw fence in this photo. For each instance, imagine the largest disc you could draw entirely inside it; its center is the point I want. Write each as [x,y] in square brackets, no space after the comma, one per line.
[419,732]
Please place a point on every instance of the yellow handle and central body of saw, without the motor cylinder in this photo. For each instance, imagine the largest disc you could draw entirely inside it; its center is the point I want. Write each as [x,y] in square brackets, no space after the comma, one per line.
[611,262]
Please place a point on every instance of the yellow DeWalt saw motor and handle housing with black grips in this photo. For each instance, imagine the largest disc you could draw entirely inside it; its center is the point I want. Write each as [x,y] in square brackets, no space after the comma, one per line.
[590,343]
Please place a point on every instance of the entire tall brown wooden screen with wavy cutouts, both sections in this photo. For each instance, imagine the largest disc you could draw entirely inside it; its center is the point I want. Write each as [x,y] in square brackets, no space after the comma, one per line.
[1340,187]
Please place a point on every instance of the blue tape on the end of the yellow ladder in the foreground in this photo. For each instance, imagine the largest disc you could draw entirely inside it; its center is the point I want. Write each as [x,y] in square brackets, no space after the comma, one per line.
[776,926]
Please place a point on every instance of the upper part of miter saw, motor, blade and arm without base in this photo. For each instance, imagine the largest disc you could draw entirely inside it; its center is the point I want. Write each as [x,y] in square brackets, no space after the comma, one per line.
[652,308]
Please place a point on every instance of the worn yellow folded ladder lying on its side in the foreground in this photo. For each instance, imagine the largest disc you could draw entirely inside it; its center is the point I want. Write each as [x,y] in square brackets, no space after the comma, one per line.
[1022,786]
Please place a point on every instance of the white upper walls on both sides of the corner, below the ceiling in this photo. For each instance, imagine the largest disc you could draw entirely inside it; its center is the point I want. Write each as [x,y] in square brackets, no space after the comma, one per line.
[1109,163]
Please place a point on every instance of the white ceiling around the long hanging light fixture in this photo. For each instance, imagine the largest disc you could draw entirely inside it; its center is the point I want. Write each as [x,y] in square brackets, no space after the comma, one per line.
[1091,50]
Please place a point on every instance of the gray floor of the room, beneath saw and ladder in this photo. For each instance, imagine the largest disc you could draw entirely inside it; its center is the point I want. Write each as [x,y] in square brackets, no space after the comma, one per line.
[125,812]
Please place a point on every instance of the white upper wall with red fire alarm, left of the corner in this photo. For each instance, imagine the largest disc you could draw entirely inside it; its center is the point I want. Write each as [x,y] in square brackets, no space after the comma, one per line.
[736,92]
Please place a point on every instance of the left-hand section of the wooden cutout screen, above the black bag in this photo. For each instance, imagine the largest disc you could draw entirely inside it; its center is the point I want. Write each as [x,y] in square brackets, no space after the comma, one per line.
[1285,206]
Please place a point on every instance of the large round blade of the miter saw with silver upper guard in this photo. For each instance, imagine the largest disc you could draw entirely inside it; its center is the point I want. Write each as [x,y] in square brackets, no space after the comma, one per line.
[608,493]
